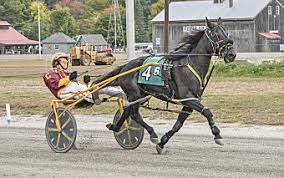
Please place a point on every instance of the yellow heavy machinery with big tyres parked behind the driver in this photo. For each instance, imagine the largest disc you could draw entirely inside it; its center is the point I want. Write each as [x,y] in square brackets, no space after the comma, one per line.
[85,55]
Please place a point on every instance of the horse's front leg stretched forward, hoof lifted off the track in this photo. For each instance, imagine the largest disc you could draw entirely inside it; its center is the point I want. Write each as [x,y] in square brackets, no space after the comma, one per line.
[196,105]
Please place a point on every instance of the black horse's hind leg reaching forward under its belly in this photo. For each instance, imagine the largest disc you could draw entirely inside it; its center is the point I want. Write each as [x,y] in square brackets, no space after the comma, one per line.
[137,117]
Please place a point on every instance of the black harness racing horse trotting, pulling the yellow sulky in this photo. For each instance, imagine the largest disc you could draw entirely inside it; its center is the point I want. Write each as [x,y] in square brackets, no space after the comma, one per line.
[190,63]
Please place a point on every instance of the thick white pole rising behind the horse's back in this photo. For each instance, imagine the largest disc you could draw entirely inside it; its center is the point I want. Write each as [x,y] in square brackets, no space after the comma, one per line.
[130,29]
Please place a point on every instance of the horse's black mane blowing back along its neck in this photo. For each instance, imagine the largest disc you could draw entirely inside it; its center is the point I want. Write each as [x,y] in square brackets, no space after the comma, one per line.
[187,44]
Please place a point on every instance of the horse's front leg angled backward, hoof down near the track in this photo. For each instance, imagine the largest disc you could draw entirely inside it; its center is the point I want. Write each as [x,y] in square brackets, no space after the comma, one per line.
[179,123]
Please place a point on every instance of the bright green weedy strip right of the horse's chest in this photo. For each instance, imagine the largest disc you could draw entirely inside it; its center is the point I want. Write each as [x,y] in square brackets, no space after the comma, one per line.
[249,70]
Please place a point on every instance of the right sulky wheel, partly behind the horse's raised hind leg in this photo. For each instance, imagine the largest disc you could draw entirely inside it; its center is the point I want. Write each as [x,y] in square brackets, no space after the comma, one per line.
[128,137]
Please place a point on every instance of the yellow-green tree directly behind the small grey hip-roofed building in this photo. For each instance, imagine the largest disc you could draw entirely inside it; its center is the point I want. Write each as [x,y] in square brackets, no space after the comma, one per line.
[62,21]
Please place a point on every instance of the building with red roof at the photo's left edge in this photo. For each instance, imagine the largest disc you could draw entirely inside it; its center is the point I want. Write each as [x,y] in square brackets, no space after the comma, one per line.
[13,42]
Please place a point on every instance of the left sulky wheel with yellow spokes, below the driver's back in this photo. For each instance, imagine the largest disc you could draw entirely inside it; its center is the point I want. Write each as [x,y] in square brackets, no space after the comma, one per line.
[62,140]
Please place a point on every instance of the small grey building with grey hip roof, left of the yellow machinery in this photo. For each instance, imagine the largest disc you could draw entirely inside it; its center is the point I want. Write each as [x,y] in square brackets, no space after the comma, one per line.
[58,42]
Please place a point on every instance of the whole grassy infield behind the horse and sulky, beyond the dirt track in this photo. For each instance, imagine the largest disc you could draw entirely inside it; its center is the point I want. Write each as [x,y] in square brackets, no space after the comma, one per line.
[234,95]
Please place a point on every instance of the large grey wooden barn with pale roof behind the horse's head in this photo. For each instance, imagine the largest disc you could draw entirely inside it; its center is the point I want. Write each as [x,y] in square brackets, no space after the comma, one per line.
[254,25]
